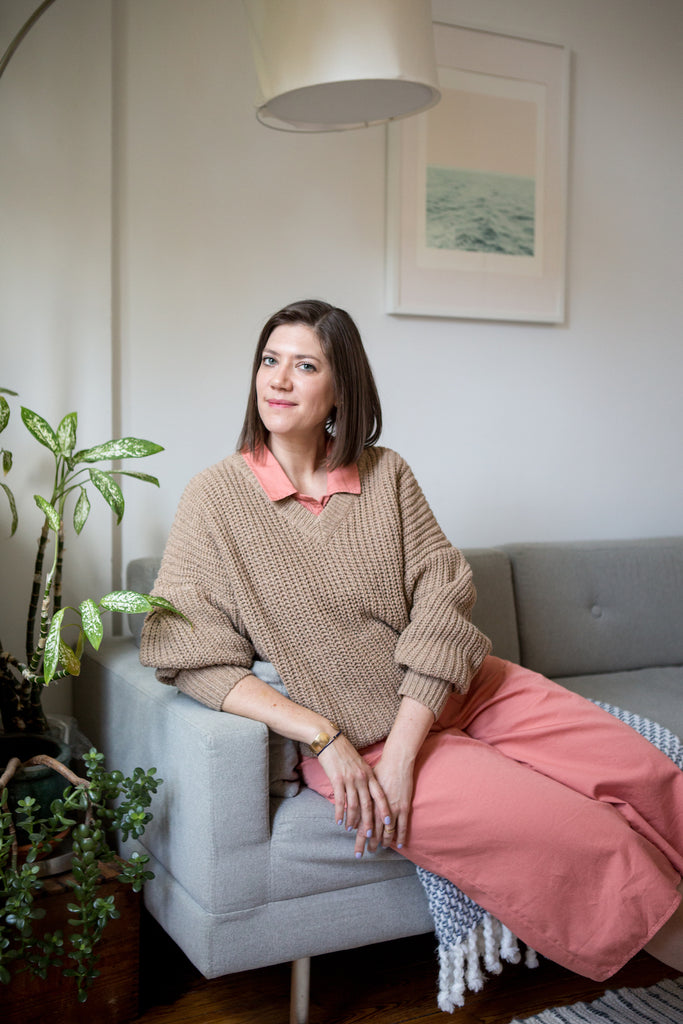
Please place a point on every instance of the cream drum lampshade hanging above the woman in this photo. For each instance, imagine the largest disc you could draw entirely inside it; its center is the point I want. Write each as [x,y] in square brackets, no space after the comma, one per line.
[334,65]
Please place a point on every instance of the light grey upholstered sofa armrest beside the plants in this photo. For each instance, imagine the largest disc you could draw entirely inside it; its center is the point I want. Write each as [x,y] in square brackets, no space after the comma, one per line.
[211,817]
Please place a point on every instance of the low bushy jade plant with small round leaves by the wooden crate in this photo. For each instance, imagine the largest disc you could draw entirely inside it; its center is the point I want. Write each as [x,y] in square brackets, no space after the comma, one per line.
[95,809]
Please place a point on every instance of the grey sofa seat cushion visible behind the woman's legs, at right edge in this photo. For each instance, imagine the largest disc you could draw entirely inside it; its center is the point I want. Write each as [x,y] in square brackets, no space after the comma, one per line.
[655,694]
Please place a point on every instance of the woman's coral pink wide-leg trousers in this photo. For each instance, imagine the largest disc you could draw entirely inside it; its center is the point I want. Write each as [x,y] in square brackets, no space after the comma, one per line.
[558,819]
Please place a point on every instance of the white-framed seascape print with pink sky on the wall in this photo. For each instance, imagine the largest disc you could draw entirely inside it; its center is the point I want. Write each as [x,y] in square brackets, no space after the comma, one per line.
[477,187]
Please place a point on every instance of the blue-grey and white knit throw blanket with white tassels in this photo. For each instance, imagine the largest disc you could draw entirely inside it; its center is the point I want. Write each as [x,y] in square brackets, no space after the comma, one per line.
[469,938]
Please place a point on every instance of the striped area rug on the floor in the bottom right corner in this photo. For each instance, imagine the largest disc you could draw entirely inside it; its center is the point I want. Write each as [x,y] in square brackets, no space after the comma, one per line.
[662,1004]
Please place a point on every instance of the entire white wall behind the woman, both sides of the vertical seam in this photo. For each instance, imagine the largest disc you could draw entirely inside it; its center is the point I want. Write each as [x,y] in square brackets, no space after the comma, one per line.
[516,432]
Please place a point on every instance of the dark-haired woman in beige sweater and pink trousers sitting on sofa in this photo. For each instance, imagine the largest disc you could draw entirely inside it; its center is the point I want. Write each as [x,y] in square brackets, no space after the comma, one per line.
[315,549]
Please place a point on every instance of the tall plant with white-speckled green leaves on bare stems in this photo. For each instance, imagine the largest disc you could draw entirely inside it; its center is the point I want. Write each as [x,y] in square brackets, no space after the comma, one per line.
[50,656]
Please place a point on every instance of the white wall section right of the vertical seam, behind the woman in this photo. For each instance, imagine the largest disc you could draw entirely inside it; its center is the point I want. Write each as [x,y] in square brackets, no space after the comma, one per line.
[516,432]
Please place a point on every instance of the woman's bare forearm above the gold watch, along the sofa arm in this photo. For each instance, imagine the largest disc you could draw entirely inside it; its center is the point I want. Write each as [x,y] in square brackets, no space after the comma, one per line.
[251,698]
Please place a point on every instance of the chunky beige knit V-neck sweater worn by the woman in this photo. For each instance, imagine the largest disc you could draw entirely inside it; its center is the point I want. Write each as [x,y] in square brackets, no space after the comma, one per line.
[356,608]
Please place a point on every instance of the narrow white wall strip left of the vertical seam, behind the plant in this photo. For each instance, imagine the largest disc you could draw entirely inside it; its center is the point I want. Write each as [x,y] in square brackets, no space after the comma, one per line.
[55,278]
